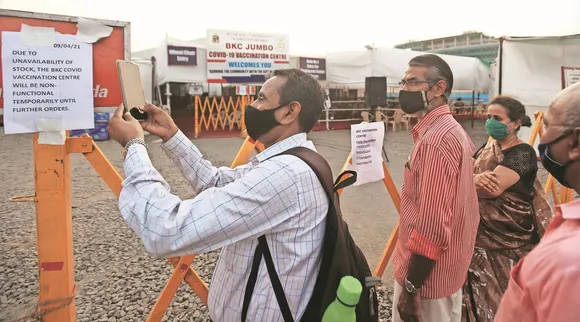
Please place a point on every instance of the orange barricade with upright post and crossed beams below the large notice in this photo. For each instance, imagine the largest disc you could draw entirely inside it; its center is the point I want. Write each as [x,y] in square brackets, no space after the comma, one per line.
[54,227]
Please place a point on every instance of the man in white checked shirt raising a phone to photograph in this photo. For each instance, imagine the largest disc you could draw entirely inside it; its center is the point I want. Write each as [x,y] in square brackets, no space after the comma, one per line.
[278,197]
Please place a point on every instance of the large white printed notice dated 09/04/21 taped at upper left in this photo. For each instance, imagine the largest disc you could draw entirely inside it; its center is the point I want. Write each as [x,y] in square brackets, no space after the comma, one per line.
[52,82]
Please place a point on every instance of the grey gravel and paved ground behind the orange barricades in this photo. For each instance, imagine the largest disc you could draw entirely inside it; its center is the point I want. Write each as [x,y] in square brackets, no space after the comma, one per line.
[117,280]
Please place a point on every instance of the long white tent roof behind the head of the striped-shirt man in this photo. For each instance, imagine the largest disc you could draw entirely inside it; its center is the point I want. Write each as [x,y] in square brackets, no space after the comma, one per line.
[351,68]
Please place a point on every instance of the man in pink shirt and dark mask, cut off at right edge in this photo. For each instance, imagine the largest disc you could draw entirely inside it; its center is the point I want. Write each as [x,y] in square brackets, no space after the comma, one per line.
[545,285]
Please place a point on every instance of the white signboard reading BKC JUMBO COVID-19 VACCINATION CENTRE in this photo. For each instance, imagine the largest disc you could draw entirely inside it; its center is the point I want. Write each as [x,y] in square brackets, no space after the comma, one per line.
[238,57]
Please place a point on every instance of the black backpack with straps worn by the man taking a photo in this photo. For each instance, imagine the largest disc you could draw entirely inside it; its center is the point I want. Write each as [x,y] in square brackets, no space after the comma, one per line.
[340,255]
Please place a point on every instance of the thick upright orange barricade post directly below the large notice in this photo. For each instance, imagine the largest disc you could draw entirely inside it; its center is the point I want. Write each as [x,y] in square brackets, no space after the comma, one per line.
[54,233]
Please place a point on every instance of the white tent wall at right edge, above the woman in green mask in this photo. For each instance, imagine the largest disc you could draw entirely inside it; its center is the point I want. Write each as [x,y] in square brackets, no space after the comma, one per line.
[530,69]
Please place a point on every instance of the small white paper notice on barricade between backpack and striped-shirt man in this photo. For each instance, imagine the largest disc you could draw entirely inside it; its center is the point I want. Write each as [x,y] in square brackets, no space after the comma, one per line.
[366,145]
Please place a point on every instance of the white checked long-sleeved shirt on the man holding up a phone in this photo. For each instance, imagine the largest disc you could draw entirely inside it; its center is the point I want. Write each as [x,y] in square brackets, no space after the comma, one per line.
[280,197]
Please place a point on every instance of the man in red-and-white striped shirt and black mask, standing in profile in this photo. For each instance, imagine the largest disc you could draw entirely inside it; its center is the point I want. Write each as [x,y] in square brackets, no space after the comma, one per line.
[440,213]
